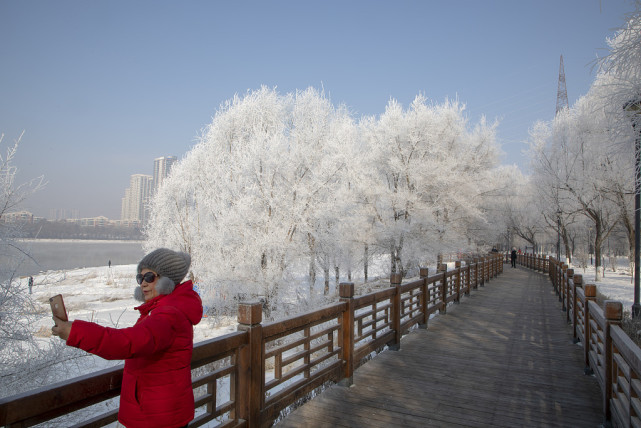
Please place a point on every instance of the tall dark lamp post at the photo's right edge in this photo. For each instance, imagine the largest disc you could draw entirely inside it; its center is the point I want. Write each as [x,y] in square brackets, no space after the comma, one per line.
[633,108]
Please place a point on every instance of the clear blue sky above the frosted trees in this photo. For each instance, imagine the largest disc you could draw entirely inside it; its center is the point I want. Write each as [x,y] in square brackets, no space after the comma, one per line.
[101,88]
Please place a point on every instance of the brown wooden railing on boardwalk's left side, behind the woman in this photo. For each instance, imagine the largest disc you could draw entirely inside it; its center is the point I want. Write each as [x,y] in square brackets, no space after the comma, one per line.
[262,369]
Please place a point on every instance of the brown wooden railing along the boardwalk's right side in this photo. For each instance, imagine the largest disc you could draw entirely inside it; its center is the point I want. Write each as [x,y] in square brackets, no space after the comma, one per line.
[608,351]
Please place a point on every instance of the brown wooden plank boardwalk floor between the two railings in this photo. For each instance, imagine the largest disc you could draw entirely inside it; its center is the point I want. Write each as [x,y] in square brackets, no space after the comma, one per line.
[502,357]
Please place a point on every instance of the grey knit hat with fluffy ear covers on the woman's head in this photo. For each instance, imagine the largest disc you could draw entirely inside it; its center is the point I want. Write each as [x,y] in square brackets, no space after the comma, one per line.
[171,266]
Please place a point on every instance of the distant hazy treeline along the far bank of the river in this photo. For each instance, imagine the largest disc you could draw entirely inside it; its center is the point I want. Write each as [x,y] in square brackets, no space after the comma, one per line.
[63,230]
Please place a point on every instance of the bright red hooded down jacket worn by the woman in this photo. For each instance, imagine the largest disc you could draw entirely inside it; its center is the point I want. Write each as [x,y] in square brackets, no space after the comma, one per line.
[156,384]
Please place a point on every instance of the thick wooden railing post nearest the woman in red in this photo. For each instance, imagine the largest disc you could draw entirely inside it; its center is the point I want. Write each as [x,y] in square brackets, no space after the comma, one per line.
[250,315]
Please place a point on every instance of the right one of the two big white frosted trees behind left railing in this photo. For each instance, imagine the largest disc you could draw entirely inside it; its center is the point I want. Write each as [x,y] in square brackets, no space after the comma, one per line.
[429,173]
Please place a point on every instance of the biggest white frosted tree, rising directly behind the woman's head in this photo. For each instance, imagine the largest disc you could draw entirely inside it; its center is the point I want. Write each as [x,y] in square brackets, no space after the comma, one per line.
[253,198]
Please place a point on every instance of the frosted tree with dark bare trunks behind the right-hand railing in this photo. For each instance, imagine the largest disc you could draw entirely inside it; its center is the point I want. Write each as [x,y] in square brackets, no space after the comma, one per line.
[574,159]
